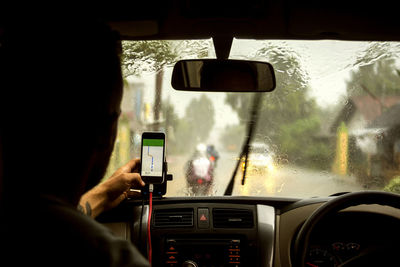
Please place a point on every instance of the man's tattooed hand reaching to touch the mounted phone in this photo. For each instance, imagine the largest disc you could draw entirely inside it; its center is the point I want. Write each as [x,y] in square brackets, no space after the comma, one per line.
[113,191]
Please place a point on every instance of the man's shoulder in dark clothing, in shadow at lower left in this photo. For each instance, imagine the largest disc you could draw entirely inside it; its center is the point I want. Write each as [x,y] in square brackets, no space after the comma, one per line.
[59,231]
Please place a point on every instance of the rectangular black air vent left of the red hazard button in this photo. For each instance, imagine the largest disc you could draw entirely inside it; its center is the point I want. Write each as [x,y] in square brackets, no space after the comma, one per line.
[173,218]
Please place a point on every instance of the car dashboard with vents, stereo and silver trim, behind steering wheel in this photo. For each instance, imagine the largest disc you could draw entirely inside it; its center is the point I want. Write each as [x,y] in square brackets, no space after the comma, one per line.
[248,231]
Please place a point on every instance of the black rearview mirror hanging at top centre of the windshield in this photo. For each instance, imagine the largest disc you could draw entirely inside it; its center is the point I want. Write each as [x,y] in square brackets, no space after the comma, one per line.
[223,76]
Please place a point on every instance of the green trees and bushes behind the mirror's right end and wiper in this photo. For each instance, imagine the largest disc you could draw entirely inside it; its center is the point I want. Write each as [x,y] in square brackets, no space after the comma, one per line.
[288,118]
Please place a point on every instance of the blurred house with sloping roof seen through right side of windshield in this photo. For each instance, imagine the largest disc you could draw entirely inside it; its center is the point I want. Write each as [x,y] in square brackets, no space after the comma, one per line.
[373,128]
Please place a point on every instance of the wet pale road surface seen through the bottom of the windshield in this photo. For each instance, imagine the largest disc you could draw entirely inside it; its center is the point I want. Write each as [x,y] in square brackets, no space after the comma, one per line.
[286,180]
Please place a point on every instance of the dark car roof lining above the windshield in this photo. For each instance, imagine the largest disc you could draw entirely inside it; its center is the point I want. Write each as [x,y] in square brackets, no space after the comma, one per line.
[255,19]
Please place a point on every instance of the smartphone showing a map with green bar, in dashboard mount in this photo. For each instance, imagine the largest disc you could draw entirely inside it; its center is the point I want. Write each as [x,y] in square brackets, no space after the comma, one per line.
[152,157]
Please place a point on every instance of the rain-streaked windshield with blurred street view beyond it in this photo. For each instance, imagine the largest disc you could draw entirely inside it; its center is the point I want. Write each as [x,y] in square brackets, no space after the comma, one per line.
[331,125]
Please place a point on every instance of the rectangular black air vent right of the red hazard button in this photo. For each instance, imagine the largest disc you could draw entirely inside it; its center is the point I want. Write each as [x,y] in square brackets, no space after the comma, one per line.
[233,218]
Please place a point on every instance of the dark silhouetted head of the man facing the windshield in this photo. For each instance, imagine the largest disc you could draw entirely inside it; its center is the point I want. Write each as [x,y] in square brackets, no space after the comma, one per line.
[61,104]
